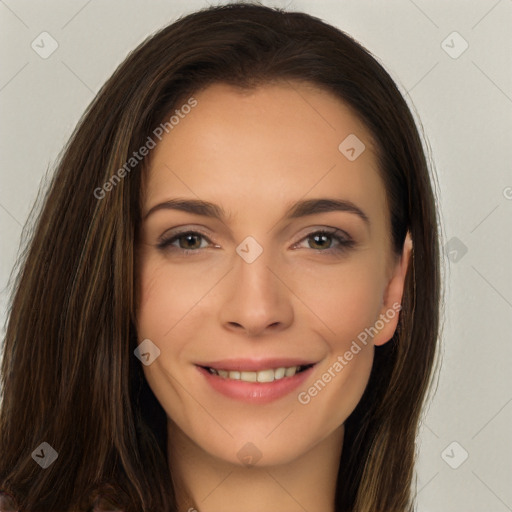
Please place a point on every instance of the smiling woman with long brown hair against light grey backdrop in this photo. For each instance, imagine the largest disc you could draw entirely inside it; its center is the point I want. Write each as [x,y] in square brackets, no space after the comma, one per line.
[231,297]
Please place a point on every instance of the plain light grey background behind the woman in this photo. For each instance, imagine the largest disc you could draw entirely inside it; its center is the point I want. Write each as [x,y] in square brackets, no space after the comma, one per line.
[465,105]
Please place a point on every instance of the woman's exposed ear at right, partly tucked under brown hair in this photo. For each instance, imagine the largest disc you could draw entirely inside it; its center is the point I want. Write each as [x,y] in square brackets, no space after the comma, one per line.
[392,298]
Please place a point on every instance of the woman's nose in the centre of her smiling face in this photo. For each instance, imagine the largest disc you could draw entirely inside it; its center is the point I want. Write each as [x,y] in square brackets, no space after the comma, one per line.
[255,300]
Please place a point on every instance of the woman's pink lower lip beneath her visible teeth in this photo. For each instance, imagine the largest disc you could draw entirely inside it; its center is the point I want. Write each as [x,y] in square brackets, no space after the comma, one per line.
[255,392]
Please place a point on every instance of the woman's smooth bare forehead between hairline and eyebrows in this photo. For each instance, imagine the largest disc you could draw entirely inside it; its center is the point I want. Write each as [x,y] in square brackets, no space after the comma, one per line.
[270,145]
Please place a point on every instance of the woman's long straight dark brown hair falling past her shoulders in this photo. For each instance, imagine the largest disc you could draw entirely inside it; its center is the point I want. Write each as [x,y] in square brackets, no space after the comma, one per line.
[69,376]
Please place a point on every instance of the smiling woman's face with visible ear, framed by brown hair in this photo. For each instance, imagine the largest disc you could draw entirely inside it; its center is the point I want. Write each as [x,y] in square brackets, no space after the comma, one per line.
[265,246]
